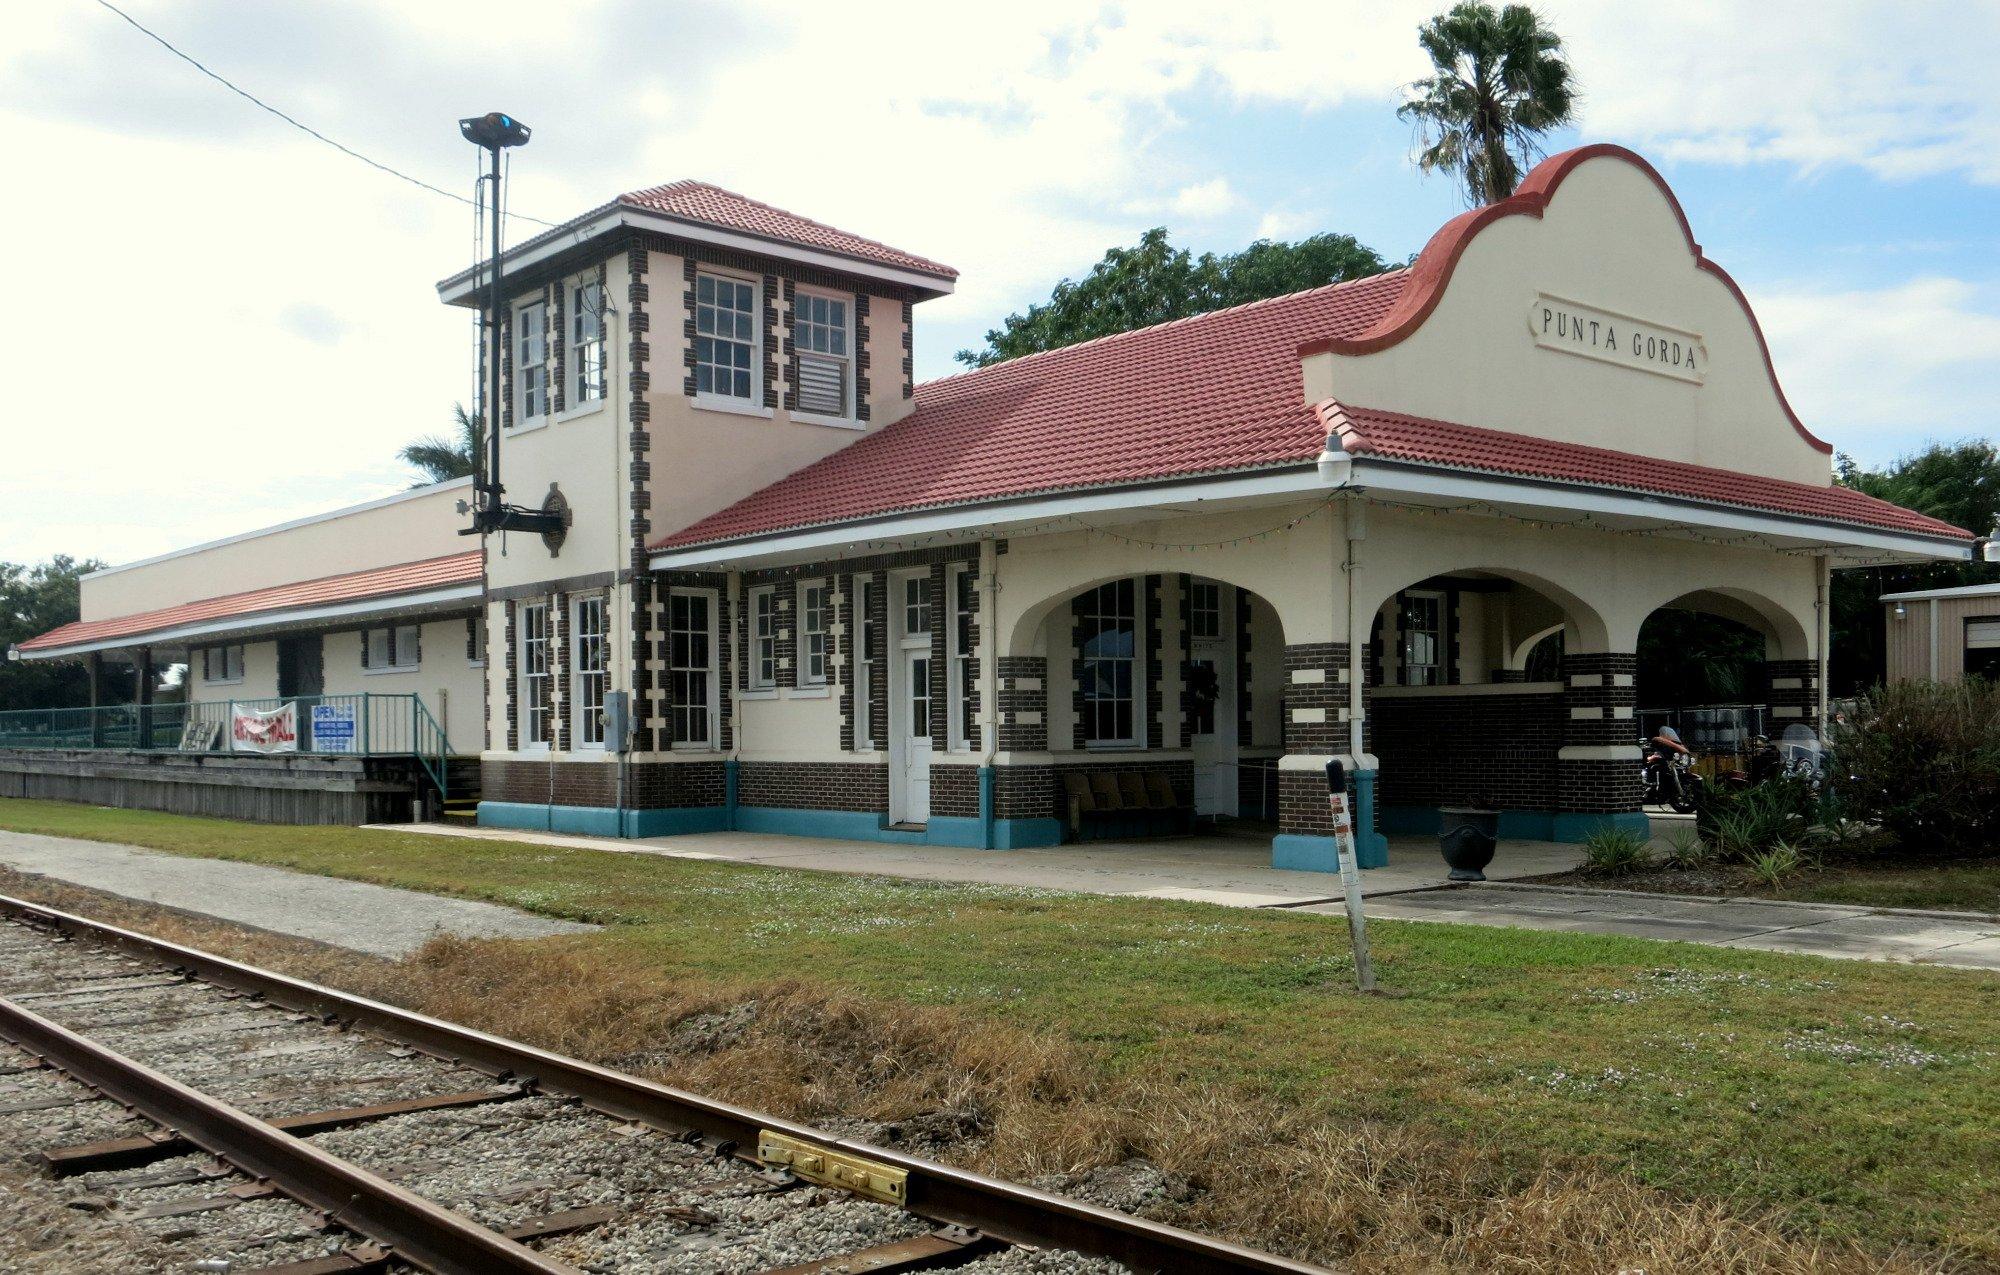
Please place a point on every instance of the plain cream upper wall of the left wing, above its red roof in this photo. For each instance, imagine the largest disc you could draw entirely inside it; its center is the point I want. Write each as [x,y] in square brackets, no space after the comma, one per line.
[405,529]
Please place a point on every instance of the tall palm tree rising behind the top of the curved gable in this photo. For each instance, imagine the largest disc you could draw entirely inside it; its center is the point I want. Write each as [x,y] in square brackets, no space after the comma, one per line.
[1503,83]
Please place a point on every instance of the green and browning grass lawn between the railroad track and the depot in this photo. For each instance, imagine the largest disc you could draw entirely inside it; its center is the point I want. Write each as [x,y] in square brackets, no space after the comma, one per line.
[1533,1102]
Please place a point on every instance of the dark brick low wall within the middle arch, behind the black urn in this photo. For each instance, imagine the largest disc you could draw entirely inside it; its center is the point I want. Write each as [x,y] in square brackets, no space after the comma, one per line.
[1469,750]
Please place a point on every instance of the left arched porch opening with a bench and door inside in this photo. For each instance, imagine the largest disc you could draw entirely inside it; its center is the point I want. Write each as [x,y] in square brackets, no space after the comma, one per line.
[1157,684]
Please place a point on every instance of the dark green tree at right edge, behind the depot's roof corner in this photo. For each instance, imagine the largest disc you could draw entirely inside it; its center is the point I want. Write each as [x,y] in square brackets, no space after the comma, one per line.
[1957,483]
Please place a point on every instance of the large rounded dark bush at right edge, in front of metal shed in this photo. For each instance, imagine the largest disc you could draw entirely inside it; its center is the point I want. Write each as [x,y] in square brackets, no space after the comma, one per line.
[1923,760]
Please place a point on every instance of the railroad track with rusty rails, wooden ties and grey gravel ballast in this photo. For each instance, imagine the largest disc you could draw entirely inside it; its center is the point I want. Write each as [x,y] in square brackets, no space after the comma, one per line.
[229,1118]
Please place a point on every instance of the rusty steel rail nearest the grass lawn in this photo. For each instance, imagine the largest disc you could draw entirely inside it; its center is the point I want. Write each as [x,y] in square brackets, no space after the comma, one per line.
[937,1192]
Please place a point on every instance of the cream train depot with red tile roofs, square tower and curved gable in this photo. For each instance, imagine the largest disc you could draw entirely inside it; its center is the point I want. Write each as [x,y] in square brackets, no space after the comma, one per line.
[1125,589]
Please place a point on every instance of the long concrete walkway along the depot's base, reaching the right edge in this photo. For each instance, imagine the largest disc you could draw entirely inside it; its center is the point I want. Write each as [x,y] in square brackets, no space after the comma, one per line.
[1413,888]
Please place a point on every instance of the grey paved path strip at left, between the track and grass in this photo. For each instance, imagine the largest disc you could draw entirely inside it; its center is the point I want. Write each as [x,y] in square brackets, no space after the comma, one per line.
[349,914]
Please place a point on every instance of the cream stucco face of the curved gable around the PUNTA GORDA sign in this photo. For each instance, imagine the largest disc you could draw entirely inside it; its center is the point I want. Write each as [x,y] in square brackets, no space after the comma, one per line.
[1613,243]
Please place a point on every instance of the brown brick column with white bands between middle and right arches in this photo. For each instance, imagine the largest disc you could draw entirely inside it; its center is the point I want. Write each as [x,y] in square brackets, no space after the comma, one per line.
[1597,770]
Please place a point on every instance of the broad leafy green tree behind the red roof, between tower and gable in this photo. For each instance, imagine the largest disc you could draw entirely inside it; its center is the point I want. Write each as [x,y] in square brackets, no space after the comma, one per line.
[1155,283]
